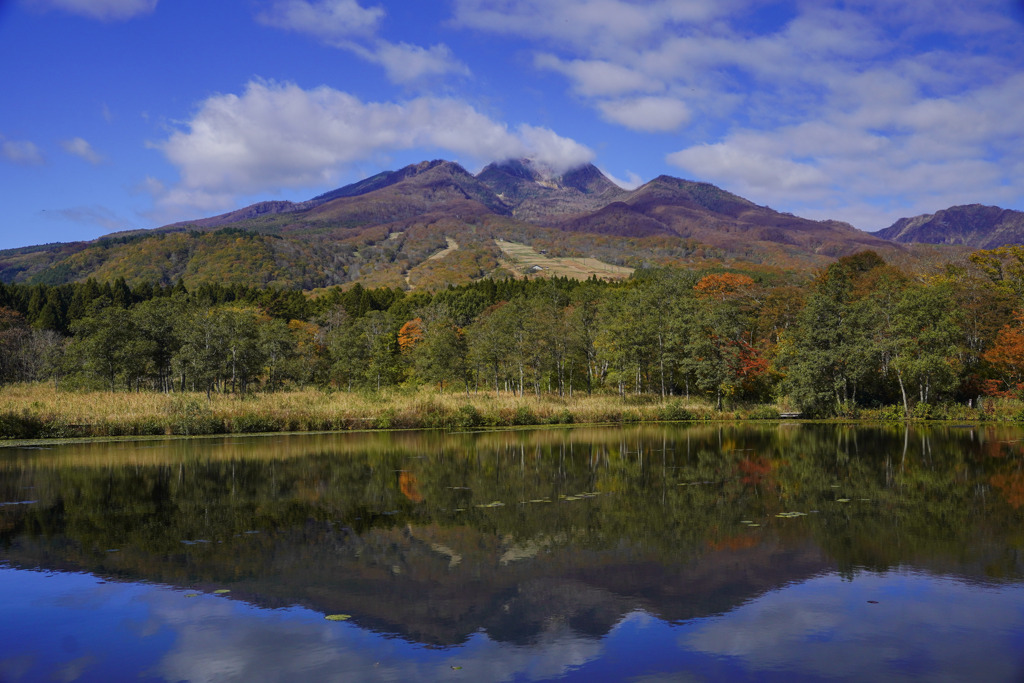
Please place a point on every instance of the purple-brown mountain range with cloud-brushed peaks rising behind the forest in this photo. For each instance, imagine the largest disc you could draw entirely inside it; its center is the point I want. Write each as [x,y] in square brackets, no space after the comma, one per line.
[435,224]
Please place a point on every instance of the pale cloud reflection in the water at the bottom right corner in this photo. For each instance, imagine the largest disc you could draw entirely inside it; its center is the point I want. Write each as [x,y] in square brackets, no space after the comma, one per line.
[922,627]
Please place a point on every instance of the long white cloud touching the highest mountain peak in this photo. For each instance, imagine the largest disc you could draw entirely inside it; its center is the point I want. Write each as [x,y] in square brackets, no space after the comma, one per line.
[279,136]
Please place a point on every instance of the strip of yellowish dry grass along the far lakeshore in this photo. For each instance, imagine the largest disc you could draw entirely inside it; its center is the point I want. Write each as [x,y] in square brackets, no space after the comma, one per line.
[38,411]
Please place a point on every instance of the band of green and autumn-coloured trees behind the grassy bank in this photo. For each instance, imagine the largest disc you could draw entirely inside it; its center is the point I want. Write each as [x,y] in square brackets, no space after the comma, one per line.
[860,333]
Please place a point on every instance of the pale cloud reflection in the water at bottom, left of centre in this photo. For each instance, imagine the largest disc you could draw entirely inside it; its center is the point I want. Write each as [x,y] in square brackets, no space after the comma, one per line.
[219,642]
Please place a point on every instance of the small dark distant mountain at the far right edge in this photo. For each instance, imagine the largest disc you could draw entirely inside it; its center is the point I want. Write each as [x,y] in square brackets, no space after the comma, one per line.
[972,226]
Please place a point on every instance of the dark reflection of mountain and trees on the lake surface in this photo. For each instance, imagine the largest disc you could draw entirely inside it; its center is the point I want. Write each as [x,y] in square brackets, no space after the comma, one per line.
[403,532]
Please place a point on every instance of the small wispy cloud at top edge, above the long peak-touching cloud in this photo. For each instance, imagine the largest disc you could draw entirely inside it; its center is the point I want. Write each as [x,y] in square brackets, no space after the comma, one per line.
[349,26]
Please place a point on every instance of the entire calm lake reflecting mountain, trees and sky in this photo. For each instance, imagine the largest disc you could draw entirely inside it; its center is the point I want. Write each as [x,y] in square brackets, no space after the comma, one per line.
[778,552]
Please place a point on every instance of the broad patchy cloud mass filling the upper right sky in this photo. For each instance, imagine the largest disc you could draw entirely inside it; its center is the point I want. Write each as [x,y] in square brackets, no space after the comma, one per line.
[858,110]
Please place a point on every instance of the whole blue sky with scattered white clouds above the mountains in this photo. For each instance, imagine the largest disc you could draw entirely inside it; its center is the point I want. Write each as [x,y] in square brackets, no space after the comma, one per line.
[125,114]
